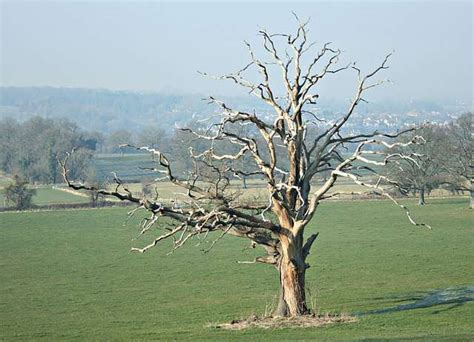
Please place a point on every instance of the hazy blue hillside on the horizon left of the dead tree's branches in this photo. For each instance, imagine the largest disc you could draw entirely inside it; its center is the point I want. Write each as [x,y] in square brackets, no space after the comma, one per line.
[100,110]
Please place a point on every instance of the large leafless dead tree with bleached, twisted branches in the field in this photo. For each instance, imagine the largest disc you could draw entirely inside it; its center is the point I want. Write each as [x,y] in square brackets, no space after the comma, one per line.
[278,223]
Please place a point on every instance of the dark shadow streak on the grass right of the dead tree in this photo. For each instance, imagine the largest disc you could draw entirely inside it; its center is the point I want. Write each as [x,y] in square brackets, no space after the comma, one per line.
[453,297]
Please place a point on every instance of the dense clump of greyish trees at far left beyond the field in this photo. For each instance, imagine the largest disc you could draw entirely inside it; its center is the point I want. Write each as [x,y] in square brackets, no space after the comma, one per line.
[30,149]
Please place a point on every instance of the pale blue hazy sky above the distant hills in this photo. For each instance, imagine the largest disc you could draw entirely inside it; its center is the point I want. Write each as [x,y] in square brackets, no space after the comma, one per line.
[159,46]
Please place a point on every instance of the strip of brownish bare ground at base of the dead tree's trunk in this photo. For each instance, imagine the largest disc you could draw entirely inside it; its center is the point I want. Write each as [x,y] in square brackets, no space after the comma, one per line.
[271,322]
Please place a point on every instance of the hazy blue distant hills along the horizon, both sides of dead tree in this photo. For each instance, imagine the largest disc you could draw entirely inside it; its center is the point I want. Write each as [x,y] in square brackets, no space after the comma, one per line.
[108,111]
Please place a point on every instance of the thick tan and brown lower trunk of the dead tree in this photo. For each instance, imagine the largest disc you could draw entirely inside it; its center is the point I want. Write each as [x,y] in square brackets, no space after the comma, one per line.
[292,268]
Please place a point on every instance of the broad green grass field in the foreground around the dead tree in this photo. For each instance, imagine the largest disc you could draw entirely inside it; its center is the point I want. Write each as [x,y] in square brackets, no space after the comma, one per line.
[69,275]
